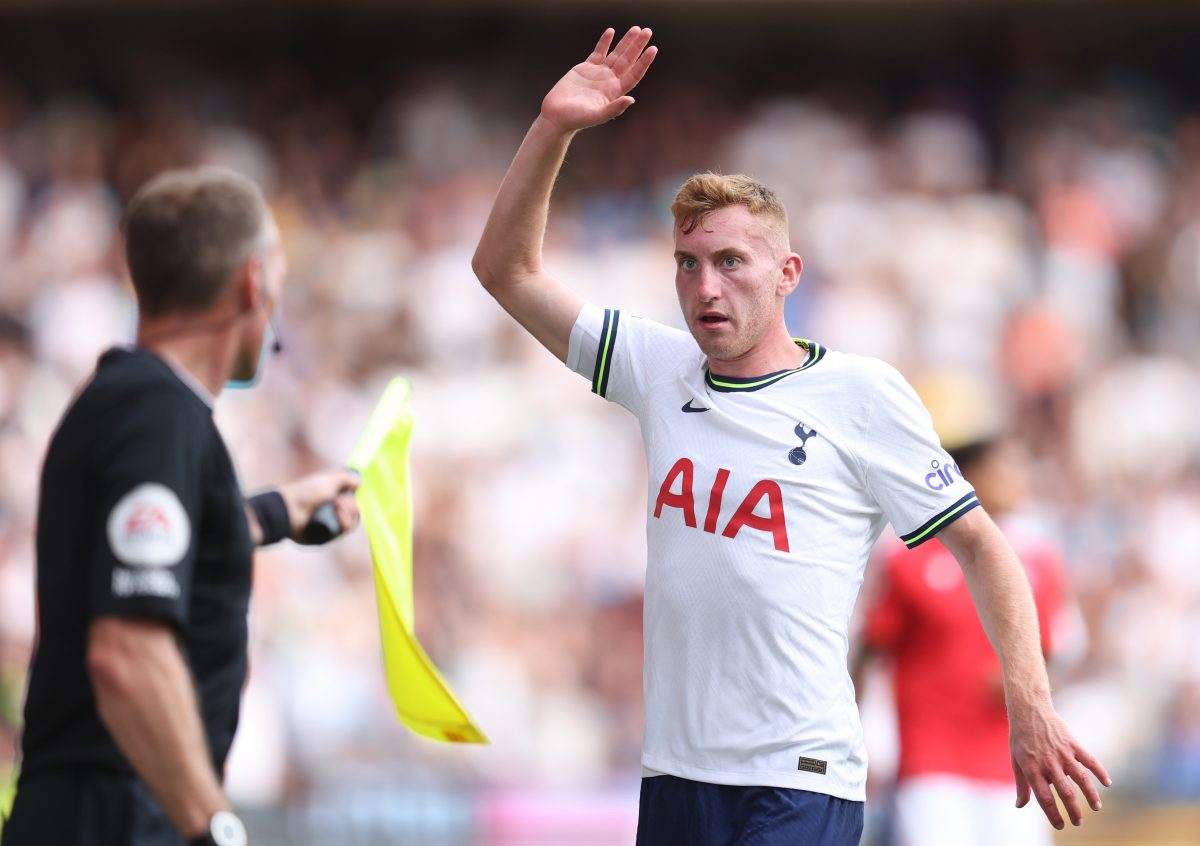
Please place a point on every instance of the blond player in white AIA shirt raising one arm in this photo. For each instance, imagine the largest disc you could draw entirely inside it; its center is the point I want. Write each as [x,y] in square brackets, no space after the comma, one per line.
[775,465]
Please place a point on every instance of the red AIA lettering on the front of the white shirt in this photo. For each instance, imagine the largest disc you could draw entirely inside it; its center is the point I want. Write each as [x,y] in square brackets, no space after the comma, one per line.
[746,517]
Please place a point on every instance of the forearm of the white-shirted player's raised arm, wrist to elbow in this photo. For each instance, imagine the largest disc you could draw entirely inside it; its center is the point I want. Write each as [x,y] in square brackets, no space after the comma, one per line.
[511,248]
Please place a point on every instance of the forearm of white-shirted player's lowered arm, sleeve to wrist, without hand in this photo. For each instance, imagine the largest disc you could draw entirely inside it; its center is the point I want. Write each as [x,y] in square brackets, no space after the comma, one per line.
[1005,603]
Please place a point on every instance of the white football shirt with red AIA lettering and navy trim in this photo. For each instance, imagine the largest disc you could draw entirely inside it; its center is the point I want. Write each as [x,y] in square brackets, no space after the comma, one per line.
[765,499]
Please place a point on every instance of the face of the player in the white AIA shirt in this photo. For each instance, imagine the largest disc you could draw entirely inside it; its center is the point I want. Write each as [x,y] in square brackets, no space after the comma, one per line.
[733,277]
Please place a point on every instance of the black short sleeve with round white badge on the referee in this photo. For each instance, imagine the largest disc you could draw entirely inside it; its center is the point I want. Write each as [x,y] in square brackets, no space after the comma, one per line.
[147,491]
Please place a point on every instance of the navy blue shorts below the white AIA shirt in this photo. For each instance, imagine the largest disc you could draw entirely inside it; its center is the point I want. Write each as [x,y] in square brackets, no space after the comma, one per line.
[680,813]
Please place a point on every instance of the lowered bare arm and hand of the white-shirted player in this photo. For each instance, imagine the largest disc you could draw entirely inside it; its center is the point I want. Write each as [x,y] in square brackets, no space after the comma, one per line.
[1045,752]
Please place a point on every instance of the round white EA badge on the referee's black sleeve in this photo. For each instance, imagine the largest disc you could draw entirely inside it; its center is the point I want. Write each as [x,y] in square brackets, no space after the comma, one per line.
[149,527]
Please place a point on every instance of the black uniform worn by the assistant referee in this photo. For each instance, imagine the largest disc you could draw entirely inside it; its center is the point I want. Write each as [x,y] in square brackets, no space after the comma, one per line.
[141,515]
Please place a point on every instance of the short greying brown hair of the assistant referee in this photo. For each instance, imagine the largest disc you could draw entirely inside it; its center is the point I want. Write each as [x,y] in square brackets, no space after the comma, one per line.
[187,232]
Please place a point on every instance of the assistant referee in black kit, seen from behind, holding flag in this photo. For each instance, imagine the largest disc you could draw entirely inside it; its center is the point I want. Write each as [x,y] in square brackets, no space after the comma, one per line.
[145,541]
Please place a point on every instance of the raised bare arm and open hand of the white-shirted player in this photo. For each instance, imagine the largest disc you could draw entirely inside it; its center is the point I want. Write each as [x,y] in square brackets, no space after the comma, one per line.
[508,260]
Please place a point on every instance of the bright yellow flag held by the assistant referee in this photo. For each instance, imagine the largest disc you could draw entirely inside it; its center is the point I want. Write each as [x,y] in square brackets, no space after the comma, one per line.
[423,699]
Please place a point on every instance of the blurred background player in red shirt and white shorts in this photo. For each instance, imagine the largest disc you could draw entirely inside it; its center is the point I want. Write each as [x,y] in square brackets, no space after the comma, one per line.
[955,777]
